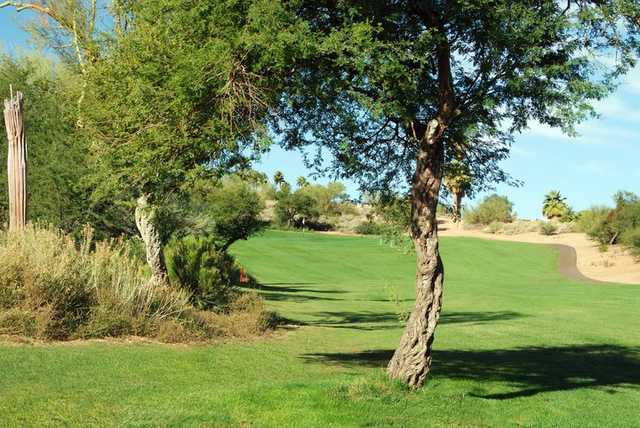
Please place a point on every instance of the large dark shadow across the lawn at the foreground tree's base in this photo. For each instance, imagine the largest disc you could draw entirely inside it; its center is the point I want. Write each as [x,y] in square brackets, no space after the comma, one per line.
[530,371]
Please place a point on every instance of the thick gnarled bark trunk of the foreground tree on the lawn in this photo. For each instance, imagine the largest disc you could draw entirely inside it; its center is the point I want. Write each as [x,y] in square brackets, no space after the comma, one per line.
[411,361]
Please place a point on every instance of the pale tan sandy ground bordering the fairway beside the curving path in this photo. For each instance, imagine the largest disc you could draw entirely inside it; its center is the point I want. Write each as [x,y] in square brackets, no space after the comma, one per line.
[580,257]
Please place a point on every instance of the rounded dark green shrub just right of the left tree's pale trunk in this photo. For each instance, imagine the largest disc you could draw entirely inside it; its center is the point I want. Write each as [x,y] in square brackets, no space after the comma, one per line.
[209,275]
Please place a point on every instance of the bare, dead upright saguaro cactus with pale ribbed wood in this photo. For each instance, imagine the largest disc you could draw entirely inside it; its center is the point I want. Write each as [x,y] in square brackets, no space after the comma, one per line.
[16,161]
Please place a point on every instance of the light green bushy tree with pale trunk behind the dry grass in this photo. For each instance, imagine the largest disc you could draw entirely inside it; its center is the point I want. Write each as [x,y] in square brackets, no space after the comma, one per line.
[182,92]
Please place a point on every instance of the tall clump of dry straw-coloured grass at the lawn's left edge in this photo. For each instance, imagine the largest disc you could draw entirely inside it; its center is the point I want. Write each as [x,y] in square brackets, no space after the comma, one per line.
[54,288]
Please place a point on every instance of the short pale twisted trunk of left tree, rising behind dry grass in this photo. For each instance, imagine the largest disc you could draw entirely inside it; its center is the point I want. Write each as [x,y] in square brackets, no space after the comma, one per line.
[145,221]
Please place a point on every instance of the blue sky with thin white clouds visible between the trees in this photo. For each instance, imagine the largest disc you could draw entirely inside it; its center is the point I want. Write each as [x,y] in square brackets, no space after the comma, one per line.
[587,169]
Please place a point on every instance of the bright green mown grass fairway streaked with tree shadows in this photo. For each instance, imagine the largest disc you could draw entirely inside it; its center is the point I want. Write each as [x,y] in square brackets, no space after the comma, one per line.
[518,345]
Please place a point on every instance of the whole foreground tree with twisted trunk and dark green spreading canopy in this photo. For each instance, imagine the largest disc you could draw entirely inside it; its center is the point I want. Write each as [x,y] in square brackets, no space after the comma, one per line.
[391,83]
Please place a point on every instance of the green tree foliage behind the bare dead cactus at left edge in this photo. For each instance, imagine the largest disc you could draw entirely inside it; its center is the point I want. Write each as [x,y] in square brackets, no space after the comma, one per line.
[57,153]
